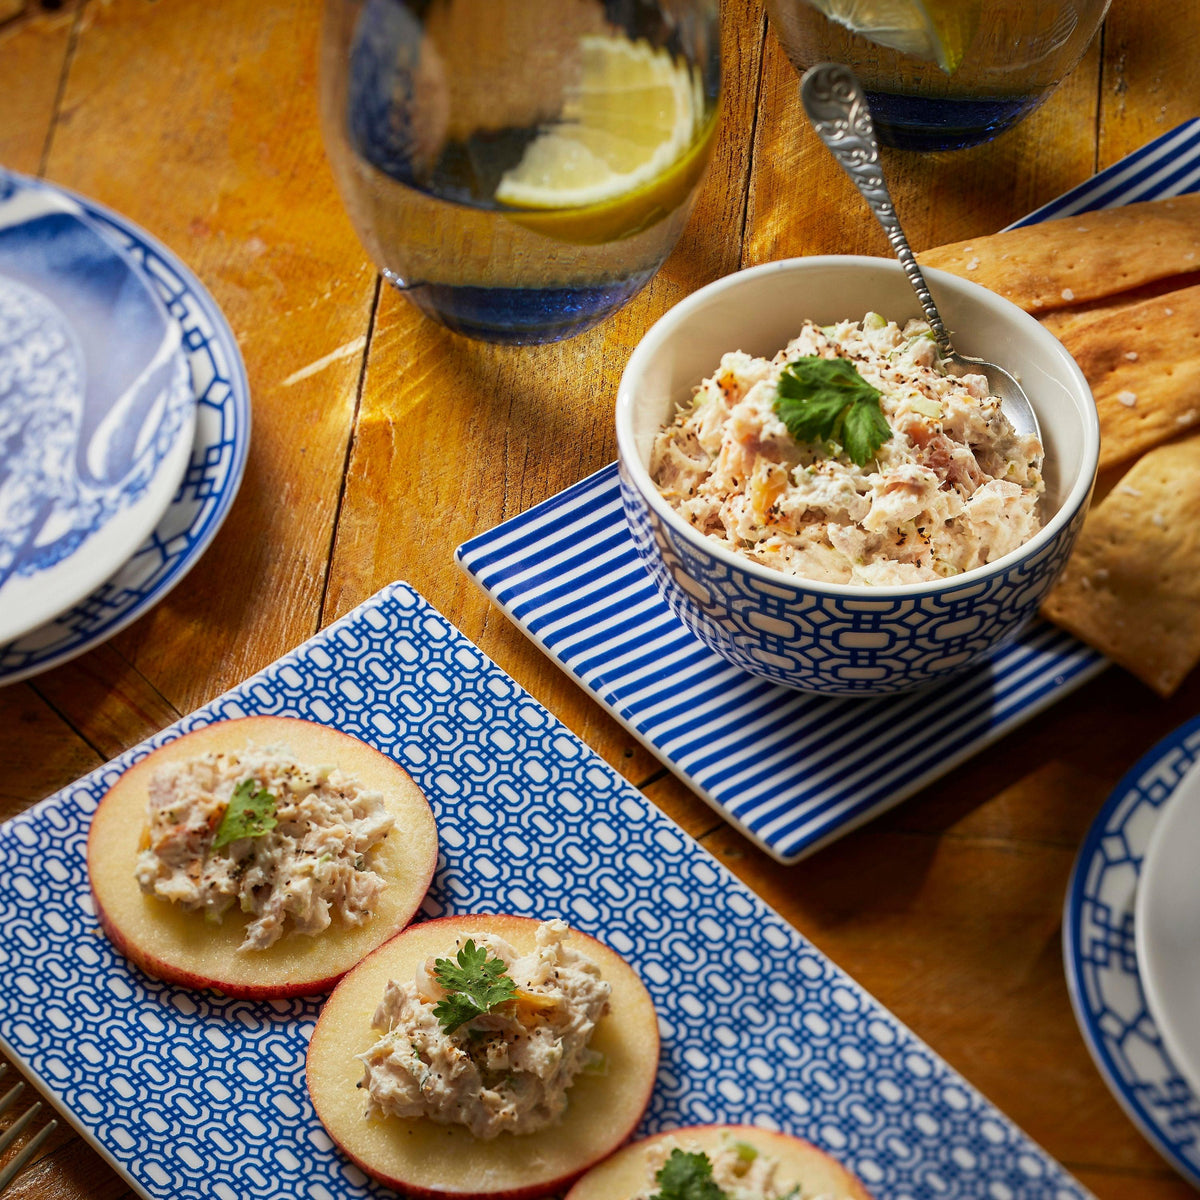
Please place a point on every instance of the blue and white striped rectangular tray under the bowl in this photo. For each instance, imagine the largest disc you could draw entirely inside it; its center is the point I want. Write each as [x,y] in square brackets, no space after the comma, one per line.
[791,771]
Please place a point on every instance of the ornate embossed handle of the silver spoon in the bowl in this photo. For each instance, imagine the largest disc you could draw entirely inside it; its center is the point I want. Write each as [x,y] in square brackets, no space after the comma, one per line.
[838,111]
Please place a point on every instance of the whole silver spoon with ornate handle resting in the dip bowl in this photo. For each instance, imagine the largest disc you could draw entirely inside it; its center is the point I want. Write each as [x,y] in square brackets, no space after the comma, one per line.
[838,111]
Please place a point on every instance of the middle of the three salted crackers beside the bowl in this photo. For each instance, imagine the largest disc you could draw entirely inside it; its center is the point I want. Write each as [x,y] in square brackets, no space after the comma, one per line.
[1143,363]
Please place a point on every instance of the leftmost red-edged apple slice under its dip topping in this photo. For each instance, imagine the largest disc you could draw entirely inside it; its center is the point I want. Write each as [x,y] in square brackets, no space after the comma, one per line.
[182,947]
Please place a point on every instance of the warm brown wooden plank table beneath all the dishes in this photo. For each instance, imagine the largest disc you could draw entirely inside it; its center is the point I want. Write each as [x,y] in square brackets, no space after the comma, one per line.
[382,442]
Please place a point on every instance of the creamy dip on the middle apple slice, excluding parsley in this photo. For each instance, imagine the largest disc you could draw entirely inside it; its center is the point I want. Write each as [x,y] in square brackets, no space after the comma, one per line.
[506,1071]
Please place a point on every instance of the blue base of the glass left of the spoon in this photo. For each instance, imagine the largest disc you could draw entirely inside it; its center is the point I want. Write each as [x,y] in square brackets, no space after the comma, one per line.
[520,316]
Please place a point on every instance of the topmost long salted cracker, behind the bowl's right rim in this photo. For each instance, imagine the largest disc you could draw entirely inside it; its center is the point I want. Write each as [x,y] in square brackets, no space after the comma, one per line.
[1076,260]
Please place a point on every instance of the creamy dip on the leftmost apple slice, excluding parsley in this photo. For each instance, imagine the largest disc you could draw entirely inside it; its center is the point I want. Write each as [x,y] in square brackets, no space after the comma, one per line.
[314,866]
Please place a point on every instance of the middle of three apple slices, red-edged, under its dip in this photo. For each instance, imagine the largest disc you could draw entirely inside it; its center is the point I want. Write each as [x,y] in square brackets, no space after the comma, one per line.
[424,1159]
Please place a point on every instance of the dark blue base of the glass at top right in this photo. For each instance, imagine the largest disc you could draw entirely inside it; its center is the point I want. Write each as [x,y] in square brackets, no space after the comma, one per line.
[915,123]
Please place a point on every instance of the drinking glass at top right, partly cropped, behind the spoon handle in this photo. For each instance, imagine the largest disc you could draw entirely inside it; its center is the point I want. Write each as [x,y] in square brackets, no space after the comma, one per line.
[1016,53]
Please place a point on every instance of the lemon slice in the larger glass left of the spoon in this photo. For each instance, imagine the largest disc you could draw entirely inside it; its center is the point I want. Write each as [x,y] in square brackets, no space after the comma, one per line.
[627,149]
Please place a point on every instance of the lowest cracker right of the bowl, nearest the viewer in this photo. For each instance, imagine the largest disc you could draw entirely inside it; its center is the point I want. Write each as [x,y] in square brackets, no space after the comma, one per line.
[1132,587]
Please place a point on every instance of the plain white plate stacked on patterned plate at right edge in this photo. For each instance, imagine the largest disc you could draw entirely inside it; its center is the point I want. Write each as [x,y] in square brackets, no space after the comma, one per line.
[1167,927]
